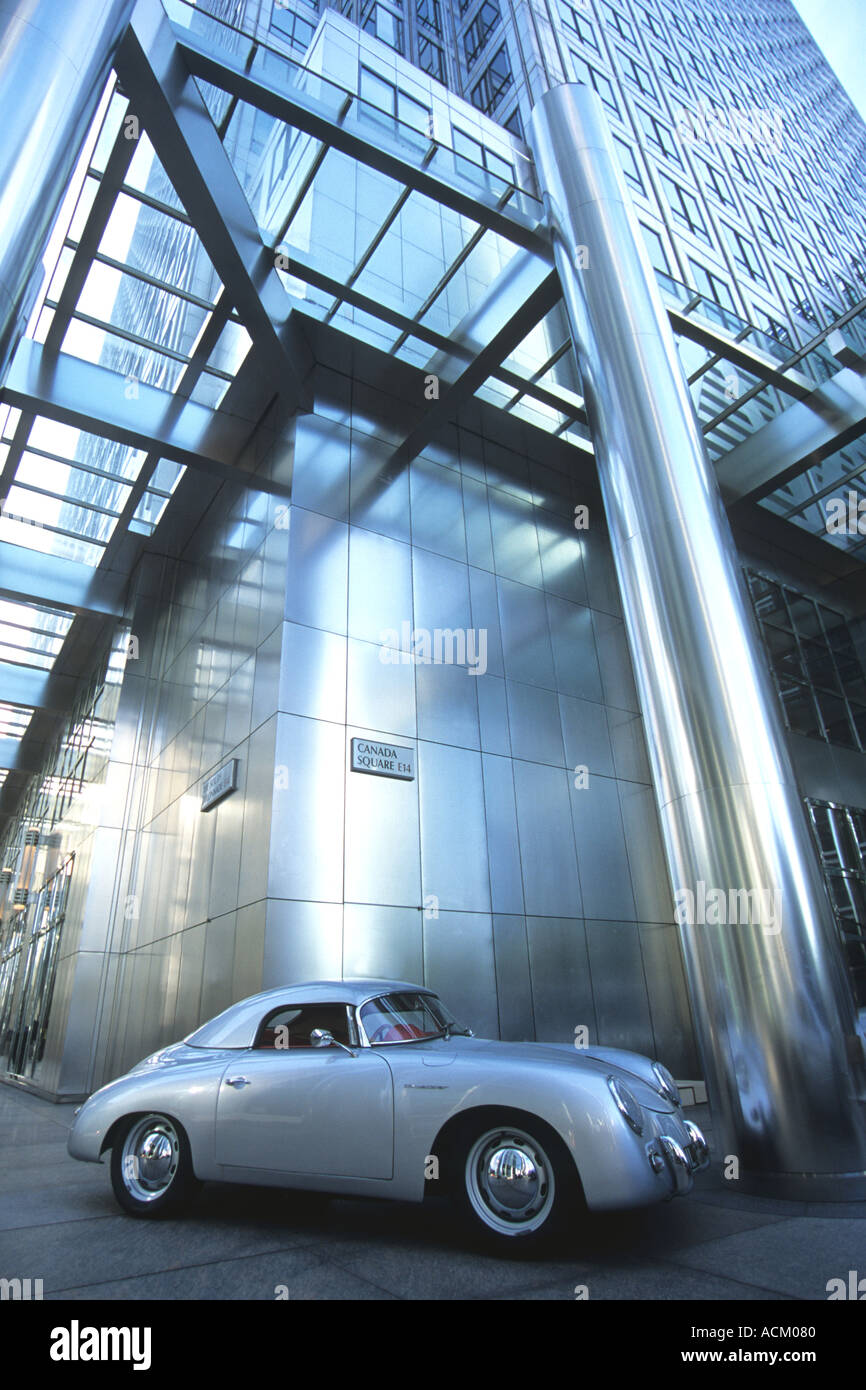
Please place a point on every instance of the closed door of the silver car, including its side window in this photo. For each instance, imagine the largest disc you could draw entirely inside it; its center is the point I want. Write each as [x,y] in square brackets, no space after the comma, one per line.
[288,1107]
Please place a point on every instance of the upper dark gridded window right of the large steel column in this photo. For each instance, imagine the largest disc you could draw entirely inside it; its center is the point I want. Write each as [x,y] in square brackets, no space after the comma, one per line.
[815,664]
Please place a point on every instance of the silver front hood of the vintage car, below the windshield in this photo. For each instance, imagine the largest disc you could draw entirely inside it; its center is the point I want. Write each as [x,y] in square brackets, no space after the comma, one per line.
[629,1067]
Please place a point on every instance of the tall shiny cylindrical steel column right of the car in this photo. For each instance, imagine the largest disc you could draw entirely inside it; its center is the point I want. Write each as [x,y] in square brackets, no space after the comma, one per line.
[771,999]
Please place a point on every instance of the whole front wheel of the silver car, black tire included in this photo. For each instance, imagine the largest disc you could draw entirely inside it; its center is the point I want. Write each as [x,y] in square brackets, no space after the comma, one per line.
[516,1185]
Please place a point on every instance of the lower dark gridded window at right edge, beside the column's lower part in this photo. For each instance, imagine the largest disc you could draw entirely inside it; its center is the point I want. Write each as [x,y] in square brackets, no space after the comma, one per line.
[840,833]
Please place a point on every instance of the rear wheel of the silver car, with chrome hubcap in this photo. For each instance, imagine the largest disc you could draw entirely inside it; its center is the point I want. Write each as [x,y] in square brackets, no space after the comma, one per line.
[152,1171]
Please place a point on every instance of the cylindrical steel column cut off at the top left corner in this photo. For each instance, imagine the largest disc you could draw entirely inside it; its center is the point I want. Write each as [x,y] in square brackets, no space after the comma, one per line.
[55,60]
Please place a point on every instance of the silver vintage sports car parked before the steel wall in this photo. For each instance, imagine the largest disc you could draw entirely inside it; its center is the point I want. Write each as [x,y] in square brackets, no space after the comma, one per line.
[373,1088]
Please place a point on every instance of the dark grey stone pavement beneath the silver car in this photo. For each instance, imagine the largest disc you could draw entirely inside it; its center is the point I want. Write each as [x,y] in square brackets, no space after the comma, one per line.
[59,1223]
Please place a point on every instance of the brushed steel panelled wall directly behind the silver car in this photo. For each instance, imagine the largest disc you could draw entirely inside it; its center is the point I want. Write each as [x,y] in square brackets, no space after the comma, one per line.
[490,876]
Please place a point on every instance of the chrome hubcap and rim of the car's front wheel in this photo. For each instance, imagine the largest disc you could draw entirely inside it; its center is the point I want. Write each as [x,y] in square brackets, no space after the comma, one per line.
[509,1182]
